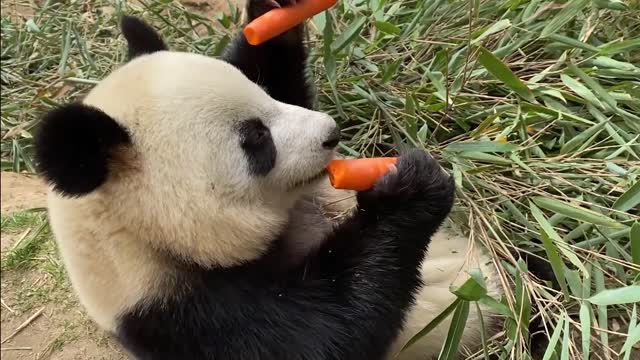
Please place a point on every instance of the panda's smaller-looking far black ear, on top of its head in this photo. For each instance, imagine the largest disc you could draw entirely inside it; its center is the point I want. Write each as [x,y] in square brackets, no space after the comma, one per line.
[141,38]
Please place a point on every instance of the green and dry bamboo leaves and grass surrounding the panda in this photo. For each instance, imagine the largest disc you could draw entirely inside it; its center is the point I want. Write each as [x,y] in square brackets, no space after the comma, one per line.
[534,105]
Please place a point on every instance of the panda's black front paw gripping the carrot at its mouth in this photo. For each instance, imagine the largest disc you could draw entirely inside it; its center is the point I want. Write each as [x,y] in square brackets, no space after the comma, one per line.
[417,185]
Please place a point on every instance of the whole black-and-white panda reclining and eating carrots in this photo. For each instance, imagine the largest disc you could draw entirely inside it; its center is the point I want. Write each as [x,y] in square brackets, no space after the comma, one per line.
[190,207]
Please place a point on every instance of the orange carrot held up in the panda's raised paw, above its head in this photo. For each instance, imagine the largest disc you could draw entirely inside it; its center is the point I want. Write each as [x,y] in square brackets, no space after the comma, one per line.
[279,20]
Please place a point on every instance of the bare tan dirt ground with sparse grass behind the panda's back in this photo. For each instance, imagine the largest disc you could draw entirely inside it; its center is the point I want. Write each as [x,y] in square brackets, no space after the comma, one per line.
[40,315]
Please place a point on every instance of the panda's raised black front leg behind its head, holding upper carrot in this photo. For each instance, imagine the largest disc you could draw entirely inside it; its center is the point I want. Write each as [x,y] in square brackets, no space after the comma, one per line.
[279,64]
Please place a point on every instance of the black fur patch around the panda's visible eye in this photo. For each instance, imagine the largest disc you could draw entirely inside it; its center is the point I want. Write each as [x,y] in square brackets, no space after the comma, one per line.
[258,146]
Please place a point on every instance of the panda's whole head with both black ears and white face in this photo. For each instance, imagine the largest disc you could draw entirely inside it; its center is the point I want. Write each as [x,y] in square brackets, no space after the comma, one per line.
[183,151]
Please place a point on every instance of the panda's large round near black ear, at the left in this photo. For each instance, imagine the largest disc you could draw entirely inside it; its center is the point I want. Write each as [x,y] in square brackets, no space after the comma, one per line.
[75,146]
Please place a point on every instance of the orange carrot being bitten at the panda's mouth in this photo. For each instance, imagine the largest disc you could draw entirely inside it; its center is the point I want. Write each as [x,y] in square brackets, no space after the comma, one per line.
[358,174]
